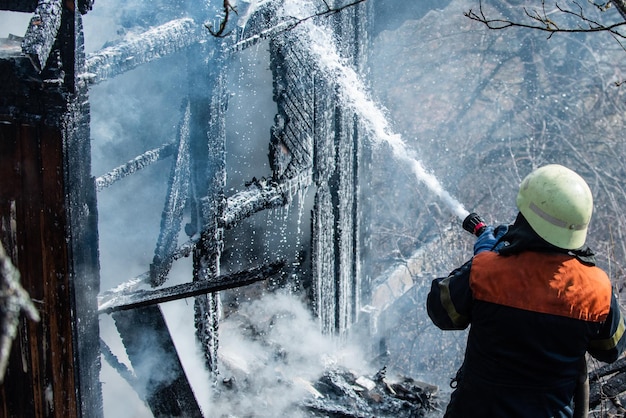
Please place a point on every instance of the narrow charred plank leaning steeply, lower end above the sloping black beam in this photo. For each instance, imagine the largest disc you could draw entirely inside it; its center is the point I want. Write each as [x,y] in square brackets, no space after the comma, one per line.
[178,190]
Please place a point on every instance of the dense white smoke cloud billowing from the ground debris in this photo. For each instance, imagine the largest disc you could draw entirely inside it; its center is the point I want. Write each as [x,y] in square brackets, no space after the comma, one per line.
[272,351]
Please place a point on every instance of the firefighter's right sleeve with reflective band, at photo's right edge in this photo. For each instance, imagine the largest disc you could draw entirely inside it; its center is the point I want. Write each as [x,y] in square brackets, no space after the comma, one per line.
[611,340]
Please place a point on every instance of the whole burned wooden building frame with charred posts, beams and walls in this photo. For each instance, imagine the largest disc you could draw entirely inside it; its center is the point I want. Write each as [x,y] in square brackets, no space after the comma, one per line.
[49,205]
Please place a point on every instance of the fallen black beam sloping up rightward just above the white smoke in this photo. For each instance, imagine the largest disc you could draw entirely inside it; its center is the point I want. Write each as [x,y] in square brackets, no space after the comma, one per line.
[140,298]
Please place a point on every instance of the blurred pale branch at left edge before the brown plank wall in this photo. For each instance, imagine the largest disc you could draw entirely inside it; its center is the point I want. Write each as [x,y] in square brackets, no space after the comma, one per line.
[13,300]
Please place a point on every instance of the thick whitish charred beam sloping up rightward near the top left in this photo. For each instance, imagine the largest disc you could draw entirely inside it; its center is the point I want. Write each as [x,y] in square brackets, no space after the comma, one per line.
[148,46]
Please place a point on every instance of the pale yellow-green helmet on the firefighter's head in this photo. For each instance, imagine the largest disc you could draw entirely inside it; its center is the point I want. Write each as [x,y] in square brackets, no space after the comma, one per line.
[557,203]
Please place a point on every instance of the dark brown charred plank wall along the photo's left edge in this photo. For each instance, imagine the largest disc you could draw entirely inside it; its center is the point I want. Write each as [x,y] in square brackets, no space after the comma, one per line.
[48,198]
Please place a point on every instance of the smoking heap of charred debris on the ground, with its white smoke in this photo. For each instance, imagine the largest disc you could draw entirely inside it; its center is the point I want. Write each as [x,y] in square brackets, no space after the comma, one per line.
[274,362]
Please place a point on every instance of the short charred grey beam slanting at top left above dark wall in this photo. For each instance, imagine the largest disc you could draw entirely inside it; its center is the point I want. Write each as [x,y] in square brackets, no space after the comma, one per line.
[42,32]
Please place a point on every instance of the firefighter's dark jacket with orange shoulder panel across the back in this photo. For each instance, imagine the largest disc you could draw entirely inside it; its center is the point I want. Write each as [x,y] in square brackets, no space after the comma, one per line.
[534,313]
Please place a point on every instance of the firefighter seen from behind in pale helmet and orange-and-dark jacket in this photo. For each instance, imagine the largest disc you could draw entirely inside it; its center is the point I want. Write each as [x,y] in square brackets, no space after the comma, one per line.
[536,302]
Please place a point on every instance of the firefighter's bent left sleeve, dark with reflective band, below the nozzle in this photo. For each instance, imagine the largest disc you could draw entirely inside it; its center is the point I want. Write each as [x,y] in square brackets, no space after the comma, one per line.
[450,299]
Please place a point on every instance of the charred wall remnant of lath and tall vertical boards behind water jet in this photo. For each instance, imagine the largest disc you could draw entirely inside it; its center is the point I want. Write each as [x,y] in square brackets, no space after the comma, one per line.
[311,130]
